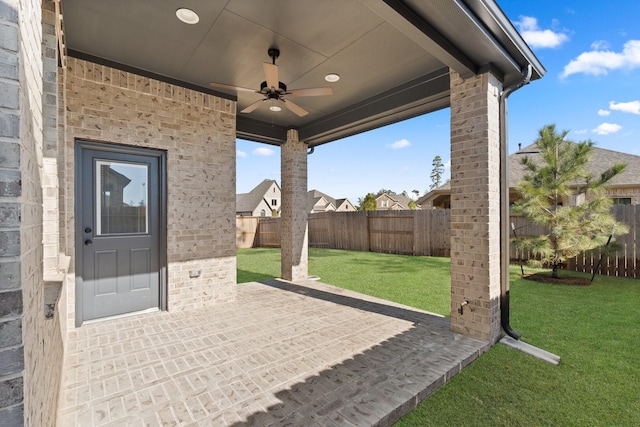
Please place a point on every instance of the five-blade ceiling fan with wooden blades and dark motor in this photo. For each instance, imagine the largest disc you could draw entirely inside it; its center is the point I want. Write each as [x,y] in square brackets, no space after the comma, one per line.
[275,91]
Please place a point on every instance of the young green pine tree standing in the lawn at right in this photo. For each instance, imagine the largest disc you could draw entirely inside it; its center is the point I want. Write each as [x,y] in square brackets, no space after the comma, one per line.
[560,175]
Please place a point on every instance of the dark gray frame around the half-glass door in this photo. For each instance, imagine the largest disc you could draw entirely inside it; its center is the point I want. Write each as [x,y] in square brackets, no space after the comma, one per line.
[80,145]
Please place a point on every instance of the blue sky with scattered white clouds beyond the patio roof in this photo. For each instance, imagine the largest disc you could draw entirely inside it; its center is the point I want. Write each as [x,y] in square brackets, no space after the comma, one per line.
[591,51]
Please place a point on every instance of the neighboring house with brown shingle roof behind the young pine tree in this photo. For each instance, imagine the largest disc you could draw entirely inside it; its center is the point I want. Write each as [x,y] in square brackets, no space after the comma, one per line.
[623,189]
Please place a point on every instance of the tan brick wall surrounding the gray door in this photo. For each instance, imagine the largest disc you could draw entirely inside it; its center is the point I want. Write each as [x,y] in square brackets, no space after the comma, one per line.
[198,133]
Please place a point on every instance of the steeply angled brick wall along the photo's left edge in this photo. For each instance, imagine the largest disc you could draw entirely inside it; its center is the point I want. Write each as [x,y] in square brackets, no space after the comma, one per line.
[30,344]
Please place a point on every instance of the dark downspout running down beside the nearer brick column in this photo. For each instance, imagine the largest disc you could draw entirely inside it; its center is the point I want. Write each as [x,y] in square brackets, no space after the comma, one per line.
[504,203]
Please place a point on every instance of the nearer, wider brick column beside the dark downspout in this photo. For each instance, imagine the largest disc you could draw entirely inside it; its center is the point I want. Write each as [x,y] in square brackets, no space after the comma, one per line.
[475,206]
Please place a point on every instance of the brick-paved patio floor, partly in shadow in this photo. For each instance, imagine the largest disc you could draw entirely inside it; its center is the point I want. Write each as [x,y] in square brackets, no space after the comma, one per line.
[281,355]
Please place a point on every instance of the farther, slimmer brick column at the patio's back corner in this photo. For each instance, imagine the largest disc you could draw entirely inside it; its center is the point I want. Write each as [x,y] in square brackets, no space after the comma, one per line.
[293,226]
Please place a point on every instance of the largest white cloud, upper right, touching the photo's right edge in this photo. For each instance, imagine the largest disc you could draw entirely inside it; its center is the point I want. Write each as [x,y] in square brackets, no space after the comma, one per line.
[600,62]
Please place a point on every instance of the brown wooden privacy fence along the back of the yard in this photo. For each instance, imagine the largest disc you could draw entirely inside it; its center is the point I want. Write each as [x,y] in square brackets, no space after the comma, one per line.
[427,232]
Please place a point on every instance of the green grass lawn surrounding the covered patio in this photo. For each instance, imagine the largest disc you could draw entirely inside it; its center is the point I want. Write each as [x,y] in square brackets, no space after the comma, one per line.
[595,329]
